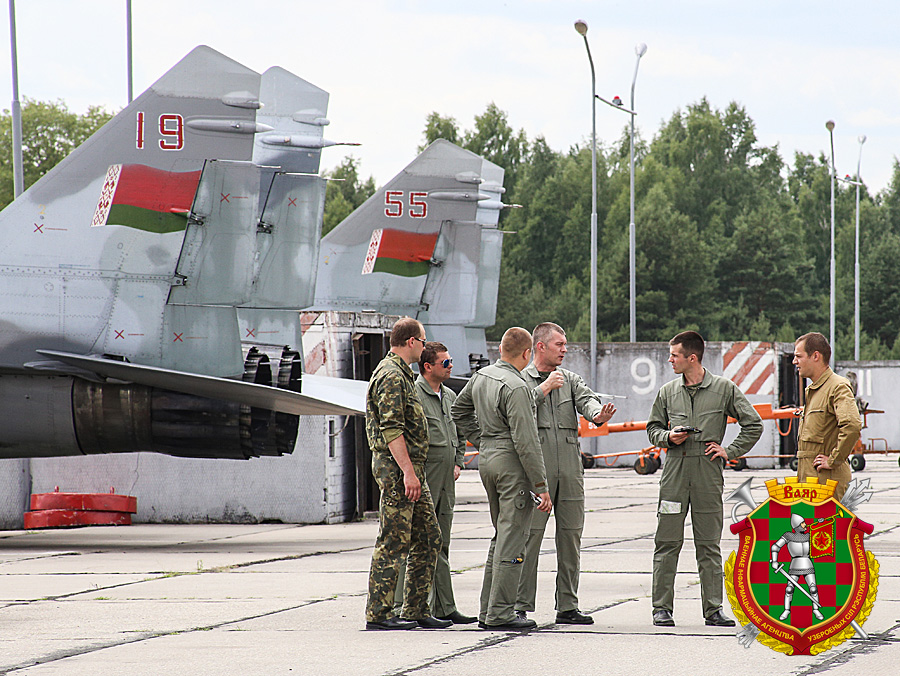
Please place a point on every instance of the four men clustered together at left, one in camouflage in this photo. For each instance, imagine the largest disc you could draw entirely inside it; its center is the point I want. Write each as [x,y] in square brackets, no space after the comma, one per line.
[524,420]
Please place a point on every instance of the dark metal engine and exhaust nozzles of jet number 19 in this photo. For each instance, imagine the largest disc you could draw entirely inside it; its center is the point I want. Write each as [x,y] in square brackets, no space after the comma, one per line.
[93,417]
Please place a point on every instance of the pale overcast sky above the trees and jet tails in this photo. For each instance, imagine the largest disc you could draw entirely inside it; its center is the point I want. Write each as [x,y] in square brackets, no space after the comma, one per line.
[388,63]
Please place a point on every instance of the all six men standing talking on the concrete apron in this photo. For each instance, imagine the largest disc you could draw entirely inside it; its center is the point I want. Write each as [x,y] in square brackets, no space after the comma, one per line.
[522,415]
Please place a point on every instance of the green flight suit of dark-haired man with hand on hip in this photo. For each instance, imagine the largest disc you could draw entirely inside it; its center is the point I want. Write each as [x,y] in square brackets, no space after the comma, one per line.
[691,480]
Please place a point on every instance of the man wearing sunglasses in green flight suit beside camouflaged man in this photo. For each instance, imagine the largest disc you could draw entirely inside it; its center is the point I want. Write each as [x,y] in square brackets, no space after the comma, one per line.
[446,455]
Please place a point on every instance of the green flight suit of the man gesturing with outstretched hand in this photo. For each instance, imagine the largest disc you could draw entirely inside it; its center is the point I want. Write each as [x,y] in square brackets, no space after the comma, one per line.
[557,421]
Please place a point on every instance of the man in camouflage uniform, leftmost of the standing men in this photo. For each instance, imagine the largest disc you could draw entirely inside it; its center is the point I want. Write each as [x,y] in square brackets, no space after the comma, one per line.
[397,433]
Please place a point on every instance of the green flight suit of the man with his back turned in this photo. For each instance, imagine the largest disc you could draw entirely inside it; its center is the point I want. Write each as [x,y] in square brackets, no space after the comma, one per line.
[495,411]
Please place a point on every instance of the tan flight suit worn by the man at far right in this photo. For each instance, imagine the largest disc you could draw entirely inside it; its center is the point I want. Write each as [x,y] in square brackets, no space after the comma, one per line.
[830,426]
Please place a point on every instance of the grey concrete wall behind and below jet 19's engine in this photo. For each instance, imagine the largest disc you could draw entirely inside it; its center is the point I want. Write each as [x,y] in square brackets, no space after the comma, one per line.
[314,484]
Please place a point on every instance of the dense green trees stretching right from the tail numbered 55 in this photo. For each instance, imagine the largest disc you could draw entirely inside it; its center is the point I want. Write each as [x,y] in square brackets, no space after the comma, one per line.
[731,240]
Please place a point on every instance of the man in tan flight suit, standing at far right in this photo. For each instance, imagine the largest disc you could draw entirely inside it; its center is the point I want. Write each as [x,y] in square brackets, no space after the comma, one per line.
[830,424]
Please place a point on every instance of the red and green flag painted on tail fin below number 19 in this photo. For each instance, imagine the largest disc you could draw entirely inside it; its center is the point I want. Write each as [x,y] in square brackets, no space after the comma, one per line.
[145,198]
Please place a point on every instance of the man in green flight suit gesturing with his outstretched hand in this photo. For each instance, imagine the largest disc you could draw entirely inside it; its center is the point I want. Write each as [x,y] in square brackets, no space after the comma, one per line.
[560,396]
